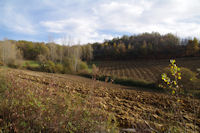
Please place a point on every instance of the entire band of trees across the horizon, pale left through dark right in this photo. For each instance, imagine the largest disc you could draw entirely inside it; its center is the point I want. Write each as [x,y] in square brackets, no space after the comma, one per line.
[142,46]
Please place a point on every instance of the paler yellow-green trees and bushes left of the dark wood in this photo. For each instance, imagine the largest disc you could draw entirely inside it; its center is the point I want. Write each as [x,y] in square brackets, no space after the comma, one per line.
[50,56]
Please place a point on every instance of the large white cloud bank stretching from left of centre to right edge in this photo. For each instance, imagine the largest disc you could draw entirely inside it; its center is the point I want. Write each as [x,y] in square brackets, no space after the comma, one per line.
[103,19]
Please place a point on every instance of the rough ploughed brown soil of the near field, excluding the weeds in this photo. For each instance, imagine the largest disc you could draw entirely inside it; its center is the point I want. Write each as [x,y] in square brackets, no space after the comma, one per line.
[133,107]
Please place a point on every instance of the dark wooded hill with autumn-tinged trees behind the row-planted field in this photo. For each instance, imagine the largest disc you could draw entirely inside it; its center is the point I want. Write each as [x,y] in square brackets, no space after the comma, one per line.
[146,46]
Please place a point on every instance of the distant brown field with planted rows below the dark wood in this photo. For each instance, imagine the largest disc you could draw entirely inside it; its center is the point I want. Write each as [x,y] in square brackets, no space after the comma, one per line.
[143,70]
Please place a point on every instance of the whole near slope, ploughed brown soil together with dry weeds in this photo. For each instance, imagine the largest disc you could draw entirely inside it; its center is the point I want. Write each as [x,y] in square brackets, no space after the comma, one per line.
[132,107]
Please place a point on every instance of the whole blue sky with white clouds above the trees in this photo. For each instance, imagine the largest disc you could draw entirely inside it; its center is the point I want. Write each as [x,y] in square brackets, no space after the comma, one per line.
[87,21]
